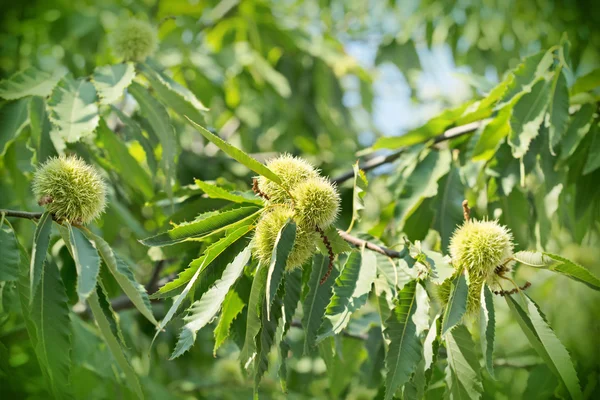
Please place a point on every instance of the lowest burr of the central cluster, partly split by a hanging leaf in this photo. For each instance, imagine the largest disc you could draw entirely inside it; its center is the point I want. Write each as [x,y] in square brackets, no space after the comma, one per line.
[266,233]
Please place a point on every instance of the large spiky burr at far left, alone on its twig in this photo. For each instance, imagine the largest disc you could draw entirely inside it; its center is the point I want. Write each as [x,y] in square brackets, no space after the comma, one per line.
[70,189]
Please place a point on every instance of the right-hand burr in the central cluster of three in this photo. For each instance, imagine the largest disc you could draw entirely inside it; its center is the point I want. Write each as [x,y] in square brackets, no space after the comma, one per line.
[317,203]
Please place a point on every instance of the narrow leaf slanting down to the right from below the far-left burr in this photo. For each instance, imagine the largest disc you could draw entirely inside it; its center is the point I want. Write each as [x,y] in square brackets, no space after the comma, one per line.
[122,273]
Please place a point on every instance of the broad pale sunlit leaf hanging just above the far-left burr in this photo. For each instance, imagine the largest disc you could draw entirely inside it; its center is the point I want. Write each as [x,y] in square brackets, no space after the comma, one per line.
[72,109]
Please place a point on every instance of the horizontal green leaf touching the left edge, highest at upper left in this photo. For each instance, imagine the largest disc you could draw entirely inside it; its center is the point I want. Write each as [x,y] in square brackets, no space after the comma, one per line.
[29,82]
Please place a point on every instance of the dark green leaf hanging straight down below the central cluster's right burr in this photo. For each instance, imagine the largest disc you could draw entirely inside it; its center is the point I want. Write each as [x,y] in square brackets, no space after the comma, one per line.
[316,300]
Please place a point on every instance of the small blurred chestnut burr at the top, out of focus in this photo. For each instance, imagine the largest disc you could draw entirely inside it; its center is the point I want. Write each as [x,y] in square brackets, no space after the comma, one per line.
[135,40]
